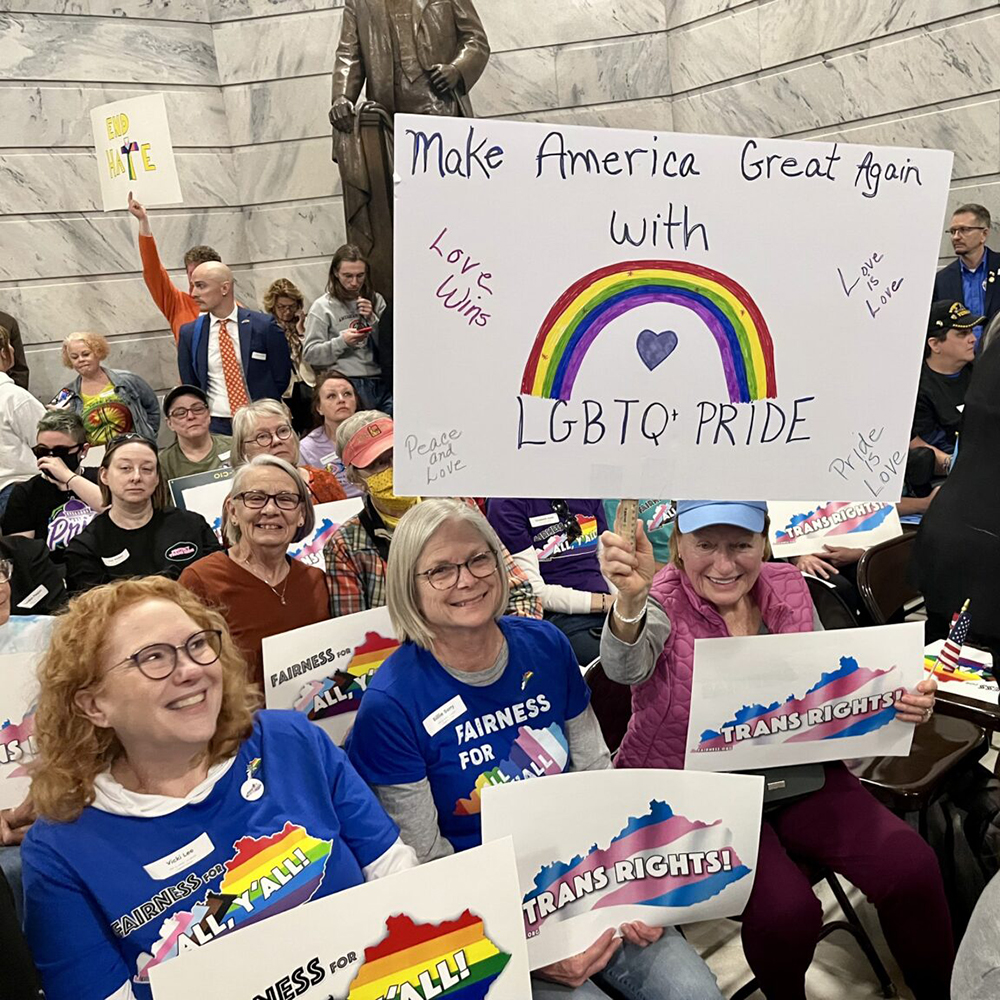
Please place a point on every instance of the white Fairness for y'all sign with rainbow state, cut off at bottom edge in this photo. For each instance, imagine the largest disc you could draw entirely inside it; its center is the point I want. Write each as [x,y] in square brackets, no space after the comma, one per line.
[451,928]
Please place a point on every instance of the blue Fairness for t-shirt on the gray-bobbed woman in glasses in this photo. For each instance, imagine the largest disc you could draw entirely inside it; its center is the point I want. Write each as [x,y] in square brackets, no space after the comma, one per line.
[417,721]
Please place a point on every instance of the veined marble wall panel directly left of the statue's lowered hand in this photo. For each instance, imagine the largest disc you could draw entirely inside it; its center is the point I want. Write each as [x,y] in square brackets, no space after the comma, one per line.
[276,110]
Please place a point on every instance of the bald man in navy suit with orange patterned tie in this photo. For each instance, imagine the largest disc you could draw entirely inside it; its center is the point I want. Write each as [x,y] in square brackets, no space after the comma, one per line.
[233,354]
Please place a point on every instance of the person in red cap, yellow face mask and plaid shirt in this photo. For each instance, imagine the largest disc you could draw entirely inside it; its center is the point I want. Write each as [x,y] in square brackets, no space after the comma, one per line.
[357,553]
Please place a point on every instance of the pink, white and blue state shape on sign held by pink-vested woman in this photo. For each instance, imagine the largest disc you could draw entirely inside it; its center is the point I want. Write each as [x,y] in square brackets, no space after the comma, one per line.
[850,701]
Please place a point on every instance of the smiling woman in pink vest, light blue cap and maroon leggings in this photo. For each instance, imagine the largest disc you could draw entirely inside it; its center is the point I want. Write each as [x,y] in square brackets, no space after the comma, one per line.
[718,584]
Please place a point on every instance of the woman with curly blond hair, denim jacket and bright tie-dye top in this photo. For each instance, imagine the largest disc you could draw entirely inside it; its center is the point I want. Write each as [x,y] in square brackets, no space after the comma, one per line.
[110,401]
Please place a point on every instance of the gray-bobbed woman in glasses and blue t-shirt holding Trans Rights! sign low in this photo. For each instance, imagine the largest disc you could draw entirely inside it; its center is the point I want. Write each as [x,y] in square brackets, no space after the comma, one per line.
[437,723]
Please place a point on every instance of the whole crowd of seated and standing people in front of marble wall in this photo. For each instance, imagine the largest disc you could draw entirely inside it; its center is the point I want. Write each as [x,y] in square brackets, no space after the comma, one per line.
[150,718]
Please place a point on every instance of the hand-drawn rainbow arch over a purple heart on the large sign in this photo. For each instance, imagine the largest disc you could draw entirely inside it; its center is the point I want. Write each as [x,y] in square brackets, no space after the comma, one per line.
[598,298]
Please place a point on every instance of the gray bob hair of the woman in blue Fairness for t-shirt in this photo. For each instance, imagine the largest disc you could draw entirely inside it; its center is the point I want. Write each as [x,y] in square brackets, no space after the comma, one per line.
[408,540]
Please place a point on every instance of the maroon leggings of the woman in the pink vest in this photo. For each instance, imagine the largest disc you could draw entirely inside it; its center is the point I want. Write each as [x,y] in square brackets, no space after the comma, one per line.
[842,826]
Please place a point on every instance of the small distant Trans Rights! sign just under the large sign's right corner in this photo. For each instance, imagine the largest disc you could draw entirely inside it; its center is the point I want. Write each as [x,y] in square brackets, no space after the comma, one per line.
[806,526]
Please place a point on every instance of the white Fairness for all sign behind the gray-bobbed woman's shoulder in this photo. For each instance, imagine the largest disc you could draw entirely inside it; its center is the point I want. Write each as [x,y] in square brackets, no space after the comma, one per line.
[323,670]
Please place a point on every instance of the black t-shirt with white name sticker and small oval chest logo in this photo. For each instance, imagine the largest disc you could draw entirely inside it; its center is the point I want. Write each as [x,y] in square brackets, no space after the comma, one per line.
[167,543]
